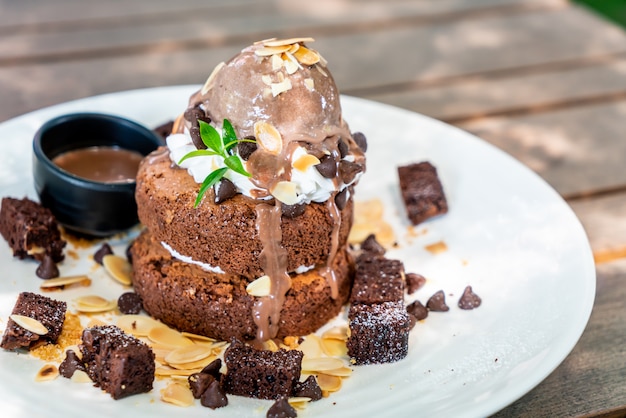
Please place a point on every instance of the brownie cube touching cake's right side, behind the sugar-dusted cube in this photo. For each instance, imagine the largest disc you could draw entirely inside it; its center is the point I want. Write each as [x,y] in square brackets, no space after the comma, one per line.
[378,279]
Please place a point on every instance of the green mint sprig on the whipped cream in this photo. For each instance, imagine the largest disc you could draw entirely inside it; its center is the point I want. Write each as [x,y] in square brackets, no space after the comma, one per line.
[222,146]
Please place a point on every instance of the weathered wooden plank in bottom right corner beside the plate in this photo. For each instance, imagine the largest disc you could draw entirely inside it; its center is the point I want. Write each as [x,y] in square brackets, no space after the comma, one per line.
[591,379]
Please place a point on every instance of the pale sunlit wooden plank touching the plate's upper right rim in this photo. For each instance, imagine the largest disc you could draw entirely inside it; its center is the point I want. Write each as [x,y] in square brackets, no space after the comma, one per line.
[576,150]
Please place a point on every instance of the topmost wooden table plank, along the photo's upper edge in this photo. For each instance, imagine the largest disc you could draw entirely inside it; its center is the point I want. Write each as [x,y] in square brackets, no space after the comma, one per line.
[33,15]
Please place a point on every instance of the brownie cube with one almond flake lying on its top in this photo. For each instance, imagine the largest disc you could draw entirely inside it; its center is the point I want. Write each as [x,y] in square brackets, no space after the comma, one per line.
[50,312]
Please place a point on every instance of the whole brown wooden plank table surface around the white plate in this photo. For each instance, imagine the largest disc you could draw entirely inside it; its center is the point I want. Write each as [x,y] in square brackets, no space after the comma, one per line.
[542,79]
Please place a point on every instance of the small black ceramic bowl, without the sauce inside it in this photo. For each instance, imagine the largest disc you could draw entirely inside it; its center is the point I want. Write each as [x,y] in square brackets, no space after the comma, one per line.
[86,206]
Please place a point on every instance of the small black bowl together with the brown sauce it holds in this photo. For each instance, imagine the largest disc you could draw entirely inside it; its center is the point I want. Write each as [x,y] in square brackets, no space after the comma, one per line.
[84,167]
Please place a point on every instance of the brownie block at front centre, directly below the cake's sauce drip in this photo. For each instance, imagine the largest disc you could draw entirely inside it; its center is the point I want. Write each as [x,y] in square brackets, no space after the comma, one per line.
[260,374]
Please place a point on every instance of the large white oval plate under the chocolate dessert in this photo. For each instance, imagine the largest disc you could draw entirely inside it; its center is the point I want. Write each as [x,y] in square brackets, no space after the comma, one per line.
[509,235]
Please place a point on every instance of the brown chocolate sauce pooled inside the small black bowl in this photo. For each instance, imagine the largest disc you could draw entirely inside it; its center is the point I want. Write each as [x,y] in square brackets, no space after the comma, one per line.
[102,164]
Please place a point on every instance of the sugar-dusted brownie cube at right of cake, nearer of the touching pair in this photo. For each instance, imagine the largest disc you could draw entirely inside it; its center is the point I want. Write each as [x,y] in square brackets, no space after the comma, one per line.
[379,333]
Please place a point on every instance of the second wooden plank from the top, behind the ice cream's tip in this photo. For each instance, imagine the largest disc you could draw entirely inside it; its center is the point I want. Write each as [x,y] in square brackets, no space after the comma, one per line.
[206,27]
